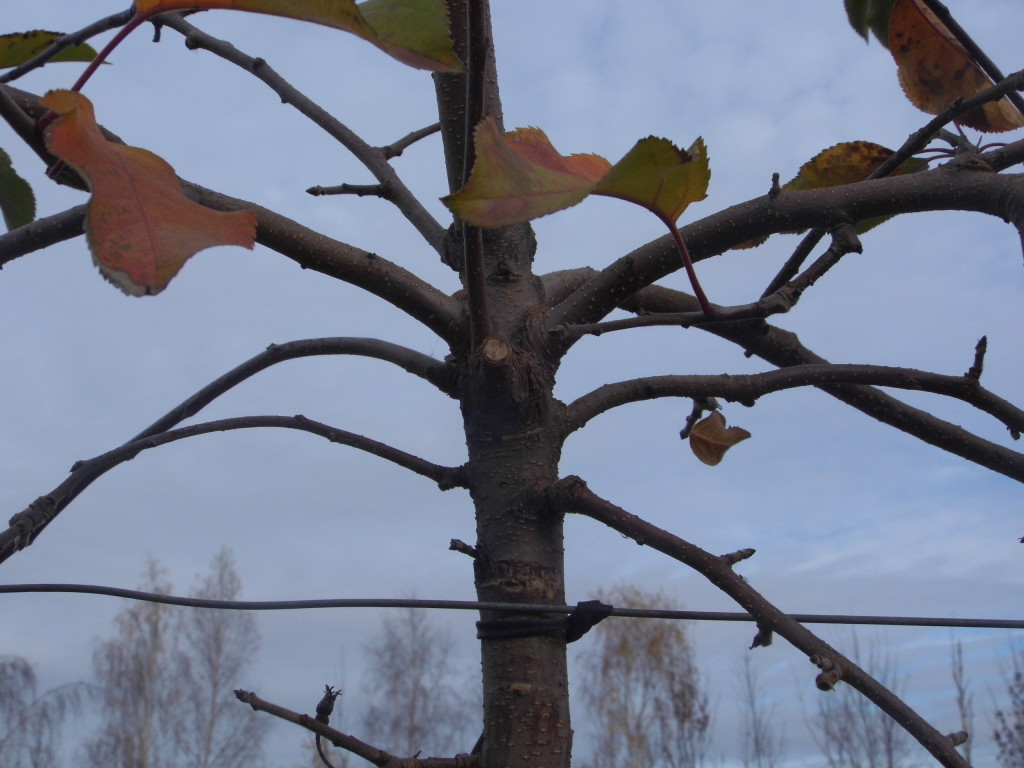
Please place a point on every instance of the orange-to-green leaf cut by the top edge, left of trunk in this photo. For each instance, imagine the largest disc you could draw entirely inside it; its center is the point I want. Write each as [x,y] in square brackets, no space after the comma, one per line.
[415,32]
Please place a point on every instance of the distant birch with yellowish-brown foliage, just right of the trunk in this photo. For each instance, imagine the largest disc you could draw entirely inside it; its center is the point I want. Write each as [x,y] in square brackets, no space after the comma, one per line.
[642,686]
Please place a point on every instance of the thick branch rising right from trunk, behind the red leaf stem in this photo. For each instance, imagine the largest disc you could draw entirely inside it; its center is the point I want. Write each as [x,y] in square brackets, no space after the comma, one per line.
[948,188]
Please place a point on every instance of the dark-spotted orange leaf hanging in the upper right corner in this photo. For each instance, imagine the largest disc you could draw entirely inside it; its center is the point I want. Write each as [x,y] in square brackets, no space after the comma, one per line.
[935,70]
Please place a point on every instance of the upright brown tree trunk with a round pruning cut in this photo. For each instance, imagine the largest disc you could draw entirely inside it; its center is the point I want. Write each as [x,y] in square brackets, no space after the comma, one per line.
[514,434]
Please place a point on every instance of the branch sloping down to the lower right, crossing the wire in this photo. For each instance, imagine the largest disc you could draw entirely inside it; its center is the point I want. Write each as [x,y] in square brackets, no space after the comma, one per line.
[572,495]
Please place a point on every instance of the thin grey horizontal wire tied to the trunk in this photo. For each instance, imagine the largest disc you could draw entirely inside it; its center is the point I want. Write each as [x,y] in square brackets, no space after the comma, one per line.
[695,616]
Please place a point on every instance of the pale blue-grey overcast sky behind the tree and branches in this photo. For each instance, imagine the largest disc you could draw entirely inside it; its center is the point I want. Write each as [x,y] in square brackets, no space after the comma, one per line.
[847,516]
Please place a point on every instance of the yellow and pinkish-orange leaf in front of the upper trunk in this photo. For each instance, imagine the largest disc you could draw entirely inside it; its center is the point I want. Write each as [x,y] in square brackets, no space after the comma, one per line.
[519,177]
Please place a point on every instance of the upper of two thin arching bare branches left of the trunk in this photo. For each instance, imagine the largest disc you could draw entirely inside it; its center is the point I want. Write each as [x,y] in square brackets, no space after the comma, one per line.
[415,363]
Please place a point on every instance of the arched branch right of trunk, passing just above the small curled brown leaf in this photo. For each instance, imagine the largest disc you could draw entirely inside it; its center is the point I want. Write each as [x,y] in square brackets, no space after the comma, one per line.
[748,389]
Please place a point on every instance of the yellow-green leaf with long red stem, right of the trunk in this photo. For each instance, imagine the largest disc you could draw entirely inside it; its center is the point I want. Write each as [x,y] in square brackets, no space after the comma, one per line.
[660,177]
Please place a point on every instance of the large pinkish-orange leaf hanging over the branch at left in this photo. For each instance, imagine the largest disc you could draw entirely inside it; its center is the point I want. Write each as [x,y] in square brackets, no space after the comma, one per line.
[141,227]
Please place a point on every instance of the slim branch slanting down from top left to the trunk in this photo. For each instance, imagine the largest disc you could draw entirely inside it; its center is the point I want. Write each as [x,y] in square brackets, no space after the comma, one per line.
[373,158]
